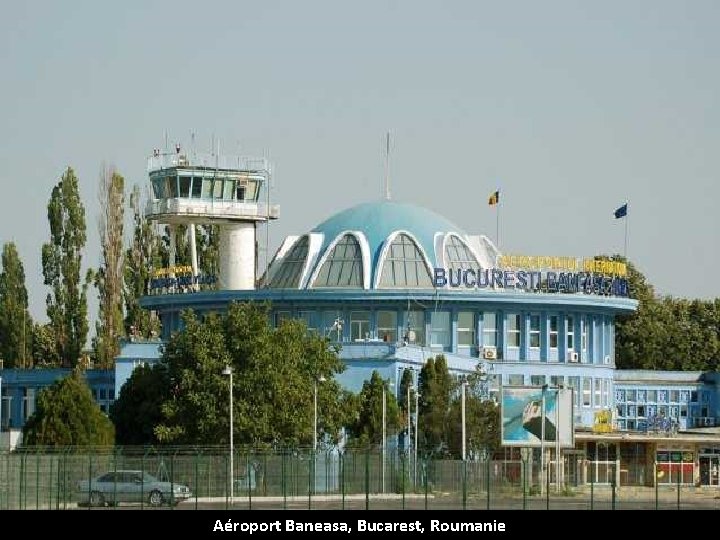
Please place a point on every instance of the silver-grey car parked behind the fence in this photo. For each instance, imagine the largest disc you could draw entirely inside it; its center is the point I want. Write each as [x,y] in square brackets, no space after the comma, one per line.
[132,487]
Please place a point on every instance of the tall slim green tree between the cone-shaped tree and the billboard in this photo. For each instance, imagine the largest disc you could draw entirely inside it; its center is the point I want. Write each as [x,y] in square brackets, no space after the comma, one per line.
[435,385]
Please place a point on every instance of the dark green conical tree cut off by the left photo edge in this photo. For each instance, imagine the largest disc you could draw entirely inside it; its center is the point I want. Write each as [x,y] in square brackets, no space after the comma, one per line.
[15,322]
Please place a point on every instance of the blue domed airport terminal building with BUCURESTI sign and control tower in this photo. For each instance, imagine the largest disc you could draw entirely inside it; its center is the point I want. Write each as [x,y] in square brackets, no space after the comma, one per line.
[394,284]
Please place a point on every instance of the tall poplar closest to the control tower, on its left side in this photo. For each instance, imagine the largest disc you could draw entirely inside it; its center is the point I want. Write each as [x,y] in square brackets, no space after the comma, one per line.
[140,258]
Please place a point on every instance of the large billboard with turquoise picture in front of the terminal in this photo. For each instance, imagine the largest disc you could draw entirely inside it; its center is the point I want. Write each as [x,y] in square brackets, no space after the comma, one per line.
[523,416]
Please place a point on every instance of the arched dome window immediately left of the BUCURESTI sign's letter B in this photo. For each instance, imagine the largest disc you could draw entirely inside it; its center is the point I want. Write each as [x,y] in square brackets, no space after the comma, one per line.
[404,266]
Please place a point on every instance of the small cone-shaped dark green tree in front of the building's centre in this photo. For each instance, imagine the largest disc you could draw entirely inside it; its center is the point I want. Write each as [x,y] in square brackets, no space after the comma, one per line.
[368,427]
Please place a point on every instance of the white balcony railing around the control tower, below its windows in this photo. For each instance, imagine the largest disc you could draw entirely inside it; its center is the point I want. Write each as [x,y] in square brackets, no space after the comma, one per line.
[222,209]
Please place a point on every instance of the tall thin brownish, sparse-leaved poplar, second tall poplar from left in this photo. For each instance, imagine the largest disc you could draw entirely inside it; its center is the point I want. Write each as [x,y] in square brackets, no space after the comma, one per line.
[109,277]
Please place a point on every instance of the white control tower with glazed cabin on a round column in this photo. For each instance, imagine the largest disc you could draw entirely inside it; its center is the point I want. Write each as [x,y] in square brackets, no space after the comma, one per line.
[208,189]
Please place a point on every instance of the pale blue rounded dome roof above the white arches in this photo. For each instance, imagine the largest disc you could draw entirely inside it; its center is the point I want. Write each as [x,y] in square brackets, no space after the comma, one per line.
[378,220]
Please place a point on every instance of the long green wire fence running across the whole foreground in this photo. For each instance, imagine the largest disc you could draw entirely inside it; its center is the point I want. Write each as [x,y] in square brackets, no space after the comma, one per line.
[209,477]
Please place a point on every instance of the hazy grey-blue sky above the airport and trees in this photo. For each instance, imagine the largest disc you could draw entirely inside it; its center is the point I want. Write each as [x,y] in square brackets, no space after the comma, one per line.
[569,108]
